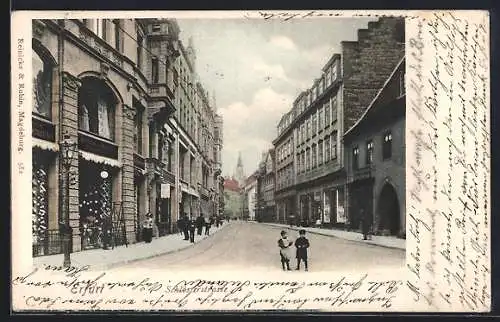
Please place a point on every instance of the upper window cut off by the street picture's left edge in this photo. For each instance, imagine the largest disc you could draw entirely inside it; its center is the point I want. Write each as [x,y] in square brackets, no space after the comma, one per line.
[42,86]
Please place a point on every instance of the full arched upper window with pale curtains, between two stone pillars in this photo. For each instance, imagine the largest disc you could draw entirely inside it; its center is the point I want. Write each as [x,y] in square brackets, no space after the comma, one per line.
[96,108]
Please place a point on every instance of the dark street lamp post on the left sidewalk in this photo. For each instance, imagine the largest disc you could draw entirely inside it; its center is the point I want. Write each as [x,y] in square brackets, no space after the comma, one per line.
[68,151]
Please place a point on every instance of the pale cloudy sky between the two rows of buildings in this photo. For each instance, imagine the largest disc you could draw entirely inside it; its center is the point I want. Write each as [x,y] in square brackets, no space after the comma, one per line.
[256,68]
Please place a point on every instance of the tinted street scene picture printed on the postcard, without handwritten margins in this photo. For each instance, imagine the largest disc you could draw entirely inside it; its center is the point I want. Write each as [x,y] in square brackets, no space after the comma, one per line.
[234,144]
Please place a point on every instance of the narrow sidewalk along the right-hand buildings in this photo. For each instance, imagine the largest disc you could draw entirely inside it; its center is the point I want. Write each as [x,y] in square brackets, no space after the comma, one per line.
[384,241]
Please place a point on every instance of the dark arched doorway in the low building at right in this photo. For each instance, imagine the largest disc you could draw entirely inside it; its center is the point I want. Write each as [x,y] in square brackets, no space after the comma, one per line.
[388,210]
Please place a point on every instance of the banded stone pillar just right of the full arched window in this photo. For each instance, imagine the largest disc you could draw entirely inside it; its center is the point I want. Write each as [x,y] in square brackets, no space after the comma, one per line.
[127,158]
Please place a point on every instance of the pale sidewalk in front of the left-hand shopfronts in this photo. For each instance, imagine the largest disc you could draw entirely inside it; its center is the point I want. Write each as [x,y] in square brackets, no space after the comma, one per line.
[99,259]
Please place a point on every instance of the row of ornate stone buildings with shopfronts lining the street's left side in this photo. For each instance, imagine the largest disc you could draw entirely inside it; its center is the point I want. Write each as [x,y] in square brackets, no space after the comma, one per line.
[112,88]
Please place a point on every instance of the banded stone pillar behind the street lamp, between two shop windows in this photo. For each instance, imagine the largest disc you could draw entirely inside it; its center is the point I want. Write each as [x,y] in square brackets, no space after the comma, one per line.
[69,127]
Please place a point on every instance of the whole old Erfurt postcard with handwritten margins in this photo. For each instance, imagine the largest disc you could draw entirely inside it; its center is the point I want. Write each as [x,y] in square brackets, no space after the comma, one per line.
[285,161]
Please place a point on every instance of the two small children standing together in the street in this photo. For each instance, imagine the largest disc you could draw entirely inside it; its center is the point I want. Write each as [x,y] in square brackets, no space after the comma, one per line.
[301,245]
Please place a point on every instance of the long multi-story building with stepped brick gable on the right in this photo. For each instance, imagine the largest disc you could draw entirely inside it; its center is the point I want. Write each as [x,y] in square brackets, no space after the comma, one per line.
[321,115]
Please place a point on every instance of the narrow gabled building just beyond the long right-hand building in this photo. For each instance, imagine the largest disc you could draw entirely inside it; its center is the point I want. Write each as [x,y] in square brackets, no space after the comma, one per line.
[266,205]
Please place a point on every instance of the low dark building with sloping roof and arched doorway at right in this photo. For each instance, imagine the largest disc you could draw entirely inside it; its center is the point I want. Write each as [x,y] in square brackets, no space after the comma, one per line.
[375,160]
